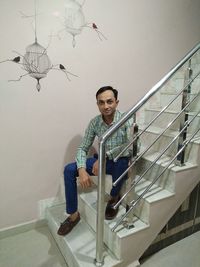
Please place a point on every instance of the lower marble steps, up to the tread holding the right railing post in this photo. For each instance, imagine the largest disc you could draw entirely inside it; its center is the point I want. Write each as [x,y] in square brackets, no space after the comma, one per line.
[123,247]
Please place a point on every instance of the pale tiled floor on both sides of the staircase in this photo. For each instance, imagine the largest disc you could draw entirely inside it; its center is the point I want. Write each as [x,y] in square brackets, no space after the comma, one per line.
[36,248]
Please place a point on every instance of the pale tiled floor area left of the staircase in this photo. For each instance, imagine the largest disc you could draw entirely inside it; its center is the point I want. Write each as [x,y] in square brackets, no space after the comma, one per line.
[34,248]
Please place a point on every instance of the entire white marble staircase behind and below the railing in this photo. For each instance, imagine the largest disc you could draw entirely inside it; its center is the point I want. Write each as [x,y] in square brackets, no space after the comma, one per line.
[124,247]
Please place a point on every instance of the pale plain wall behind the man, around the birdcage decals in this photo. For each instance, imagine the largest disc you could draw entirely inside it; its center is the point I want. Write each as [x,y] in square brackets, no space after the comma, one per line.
[40,131]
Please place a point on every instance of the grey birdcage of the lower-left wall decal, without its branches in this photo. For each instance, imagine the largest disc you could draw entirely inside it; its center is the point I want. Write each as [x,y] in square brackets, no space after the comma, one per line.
[36,62]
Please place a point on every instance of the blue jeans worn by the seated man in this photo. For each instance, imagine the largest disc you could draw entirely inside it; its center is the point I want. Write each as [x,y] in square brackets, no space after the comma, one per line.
[70,173]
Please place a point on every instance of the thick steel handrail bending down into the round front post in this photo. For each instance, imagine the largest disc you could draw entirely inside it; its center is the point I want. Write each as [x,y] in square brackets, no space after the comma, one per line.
[102,157]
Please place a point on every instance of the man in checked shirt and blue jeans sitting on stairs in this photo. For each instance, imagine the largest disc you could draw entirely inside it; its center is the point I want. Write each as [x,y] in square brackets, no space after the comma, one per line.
[107,102]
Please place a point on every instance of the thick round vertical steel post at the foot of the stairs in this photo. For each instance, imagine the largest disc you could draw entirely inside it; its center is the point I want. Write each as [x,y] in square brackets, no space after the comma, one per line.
[99,260]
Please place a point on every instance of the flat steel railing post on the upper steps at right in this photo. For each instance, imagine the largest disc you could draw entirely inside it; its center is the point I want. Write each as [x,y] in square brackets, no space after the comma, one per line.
[185,99]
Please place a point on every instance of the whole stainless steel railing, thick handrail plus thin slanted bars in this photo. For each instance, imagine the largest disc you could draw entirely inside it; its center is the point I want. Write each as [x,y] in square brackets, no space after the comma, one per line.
[102,156]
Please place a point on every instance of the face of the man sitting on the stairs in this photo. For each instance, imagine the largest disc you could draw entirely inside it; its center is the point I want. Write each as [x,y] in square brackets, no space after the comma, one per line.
[107,103]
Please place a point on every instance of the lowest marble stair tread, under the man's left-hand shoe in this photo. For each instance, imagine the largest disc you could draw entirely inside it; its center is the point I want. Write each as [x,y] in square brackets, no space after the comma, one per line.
[80,243]
